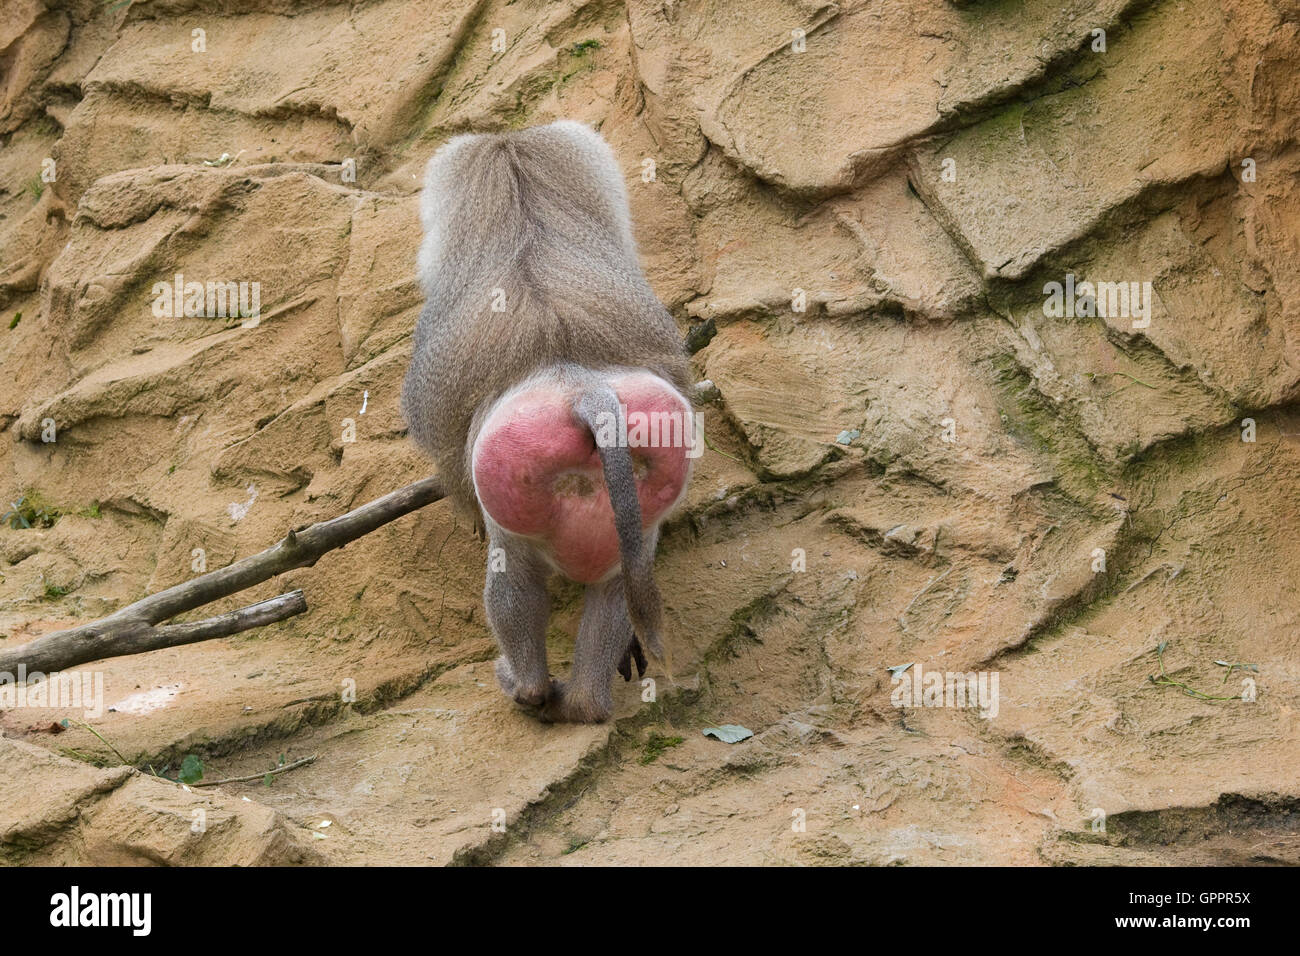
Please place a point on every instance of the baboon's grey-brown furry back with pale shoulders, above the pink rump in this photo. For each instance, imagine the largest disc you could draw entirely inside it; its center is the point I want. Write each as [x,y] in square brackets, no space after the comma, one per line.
[535,222]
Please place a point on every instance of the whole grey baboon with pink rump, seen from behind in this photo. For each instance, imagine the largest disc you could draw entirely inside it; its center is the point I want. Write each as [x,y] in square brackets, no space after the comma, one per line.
[539,347]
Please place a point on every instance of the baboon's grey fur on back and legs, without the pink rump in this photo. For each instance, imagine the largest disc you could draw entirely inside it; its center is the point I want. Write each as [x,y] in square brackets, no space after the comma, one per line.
[543,217]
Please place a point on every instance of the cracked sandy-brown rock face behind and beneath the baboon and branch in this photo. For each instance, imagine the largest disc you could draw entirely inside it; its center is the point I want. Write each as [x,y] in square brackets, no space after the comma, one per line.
[912,462]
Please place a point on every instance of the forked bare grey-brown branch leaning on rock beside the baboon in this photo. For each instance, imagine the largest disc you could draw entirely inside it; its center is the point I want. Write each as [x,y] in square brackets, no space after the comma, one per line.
[137,628]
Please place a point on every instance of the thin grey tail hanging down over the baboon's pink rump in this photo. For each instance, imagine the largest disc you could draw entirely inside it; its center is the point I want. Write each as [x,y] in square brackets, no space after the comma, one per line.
[599,410]
